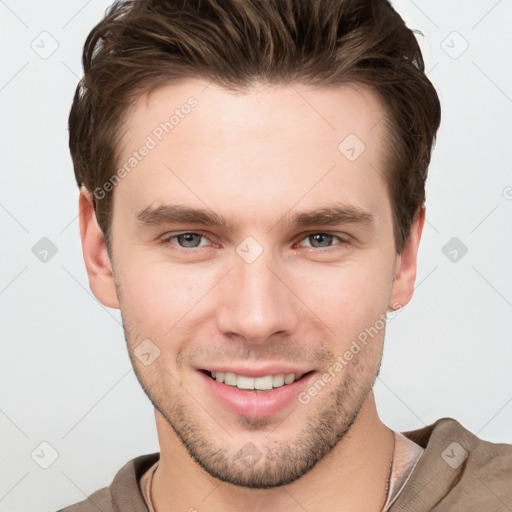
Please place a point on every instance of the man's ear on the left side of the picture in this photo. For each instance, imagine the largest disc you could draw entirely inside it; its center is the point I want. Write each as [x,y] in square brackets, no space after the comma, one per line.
[94,249]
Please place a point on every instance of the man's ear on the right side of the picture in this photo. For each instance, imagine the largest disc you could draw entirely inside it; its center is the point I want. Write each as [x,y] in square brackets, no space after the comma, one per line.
[406,264]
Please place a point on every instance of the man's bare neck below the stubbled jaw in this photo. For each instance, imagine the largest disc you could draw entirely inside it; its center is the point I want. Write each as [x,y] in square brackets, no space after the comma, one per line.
[353,476]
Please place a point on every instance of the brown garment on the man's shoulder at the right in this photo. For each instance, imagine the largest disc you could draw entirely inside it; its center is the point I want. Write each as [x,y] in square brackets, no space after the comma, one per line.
[457,471]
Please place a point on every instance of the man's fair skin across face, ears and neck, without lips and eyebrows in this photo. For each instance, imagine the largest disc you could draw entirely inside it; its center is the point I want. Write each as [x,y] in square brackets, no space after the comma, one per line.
[253,158]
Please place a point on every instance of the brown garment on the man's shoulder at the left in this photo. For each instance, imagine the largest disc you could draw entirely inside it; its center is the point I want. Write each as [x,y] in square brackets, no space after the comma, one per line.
[123,494]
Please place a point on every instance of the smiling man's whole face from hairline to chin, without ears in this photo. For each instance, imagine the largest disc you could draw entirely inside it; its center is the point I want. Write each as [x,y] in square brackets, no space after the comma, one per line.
[263,296]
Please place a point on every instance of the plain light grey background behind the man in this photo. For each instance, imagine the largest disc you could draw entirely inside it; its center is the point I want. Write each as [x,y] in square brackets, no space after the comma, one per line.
[65,373]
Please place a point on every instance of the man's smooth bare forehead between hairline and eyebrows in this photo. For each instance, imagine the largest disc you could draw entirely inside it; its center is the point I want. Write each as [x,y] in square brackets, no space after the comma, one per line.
[272,145]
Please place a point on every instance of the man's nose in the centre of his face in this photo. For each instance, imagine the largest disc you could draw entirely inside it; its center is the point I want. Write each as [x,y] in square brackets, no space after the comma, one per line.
[257,302]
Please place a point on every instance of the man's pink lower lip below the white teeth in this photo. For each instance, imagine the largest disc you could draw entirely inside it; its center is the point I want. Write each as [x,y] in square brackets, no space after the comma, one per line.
[254,404]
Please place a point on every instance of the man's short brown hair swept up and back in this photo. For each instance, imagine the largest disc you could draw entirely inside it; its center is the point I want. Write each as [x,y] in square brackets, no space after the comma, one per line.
[143,44]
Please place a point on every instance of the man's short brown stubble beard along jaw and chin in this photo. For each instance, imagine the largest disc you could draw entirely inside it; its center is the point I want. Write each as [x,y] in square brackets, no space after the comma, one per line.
[273,463]
